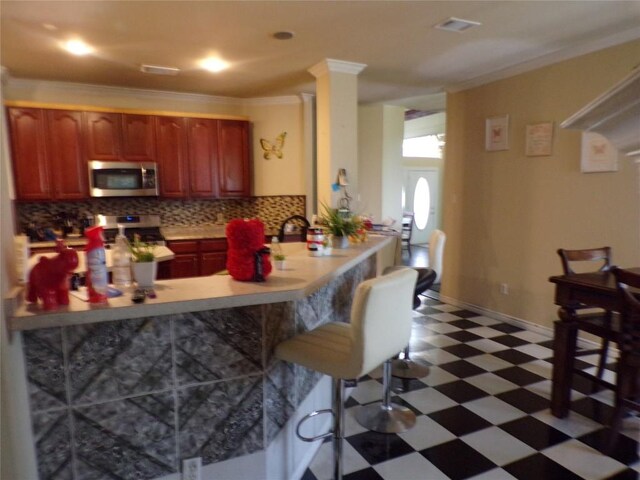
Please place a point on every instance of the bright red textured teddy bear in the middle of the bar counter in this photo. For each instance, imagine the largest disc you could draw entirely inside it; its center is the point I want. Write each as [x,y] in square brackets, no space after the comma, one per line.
[247,257]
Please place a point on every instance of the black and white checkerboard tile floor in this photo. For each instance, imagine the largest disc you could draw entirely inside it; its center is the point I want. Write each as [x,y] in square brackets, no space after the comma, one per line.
[483,412]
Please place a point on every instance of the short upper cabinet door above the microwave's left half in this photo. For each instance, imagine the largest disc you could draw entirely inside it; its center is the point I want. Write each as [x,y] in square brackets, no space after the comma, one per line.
[103,136]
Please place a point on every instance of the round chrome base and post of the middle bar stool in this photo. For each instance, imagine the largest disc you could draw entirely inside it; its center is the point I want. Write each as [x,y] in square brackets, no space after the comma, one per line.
[386,417]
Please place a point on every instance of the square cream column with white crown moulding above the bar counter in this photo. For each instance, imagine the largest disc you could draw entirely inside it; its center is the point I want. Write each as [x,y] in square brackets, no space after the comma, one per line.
[337,126]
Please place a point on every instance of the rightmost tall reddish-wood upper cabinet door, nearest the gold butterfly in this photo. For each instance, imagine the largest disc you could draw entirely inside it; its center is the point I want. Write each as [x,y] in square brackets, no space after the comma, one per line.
[234,160]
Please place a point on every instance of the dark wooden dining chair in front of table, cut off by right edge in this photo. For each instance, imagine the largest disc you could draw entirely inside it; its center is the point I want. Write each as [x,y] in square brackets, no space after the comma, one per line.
[628,370]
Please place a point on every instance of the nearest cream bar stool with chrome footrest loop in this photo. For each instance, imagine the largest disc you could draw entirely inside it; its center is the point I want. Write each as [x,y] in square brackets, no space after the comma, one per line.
[348,351]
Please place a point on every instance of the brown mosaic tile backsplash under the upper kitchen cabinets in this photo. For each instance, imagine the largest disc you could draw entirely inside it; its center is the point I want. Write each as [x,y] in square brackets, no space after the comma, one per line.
[173,213]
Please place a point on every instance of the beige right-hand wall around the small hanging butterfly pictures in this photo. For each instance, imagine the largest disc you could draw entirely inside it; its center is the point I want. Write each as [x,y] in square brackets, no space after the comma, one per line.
[506,214]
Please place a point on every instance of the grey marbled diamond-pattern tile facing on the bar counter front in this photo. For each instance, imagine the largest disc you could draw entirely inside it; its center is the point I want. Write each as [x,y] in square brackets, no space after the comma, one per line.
[130,399]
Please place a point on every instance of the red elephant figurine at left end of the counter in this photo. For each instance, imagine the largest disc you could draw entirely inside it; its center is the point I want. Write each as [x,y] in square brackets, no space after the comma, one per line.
[49,278]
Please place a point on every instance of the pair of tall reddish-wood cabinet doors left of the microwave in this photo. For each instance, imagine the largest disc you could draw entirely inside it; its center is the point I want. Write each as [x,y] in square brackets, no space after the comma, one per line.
[47,154]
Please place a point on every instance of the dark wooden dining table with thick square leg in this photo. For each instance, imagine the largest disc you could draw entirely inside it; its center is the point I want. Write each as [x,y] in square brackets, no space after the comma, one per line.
[594,289]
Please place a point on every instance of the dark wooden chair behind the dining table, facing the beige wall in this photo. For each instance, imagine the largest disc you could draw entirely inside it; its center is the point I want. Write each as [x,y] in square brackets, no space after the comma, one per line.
[599,322]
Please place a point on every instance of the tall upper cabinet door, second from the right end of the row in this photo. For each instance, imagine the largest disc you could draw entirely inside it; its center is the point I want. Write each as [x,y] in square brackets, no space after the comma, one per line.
[202,141]
